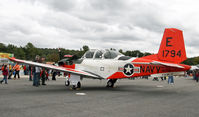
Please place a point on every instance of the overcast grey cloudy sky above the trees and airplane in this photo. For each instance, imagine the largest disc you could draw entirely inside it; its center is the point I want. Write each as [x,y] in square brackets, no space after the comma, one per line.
[119,24]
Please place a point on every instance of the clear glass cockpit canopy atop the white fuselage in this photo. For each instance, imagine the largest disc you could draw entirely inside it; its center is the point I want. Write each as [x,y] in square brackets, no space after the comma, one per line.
[102,54]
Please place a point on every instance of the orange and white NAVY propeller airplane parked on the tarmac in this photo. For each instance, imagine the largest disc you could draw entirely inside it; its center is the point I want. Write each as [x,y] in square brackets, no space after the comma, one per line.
[112,65]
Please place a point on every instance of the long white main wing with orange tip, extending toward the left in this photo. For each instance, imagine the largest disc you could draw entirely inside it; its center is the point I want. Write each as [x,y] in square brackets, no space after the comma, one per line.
[58,68]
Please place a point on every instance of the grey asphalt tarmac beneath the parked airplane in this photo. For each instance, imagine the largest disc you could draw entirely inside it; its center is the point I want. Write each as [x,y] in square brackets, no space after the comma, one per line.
[130,98]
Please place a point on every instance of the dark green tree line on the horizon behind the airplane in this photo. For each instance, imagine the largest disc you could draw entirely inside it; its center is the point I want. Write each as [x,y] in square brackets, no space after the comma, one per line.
[29,51]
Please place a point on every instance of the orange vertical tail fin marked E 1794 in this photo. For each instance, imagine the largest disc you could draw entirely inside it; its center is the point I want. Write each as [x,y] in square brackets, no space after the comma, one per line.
[172,48]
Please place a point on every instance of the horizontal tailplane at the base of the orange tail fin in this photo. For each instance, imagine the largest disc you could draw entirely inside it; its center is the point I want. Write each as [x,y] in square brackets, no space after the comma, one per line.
[160,63]
